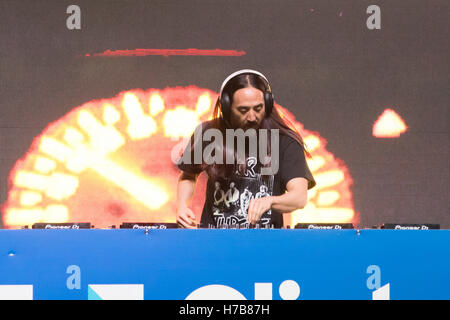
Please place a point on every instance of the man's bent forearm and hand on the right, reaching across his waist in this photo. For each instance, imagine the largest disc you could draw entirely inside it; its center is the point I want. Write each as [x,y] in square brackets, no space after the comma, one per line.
[295,198]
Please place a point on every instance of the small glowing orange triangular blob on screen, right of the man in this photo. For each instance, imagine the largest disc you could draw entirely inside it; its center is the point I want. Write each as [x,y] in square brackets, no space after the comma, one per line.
[389,125]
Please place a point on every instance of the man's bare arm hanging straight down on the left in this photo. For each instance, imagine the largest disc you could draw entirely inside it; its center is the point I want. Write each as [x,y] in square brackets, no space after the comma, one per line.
[185,192]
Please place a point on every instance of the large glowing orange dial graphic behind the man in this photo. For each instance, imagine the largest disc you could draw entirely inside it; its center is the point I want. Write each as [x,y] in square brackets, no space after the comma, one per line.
[109,161]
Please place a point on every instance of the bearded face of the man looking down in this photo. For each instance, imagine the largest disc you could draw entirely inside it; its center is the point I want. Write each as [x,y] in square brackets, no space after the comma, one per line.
[247,109]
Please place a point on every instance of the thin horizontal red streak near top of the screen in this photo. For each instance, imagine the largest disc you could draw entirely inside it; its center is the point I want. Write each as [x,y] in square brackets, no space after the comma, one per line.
[166,53]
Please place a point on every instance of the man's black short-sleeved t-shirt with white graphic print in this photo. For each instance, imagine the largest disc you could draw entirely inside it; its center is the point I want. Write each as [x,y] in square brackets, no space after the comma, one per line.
[227,199]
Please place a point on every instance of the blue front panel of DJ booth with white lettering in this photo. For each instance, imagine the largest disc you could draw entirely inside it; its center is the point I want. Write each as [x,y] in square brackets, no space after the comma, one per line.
[178,264]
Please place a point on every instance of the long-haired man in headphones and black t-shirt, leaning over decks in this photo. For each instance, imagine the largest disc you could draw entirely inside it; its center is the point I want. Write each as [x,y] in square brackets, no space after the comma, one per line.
[251,197]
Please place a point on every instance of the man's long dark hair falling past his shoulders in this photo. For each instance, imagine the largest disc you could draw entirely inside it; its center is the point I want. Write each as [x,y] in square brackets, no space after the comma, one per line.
[273,121]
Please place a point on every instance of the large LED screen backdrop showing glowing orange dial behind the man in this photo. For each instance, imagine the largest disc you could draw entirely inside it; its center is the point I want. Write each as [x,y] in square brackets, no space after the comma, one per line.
[98,96]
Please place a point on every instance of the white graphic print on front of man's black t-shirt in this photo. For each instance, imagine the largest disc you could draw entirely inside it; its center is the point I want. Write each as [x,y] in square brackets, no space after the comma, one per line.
[232,195]
